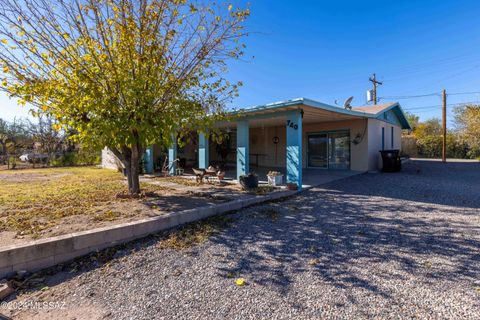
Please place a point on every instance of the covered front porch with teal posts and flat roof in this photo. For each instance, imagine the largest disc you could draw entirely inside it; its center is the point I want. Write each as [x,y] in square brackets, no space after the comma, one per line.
[308,142]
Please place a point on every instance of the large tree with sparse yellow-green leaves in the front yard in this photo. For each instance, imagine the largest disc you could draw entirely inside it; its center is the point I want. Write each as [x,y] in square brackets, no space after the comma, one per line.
[122,73]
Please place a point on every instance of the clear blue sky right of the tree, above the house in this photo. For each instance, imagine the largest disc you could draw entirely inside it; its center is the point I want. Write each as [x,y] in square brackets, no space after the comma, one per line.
[326,50]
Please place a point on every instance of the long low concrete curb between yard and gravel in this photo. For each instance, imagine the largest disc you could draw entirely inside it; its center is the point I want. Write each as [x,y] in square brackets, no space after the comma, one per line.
[48,252]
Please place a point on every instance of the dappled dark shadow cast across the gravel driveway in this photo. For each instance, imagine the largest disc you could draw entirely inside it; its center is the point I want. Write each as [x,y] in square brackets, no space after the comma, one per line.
[423,221]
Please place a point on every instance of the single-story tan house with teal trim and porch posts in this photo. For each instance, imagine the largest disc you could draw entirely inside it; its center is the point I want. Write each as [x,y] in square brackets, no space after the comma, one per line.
[293,136]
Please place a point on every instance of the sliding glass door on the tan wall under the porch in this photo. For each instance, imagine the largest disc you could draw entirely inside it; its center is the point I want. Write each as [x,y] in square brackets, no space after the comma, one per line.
[329,150]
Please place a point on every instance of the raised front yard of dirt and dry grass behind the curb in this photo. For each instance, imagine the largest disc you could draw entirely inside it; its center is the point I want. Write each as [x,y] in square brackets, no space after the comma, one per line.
[40,203]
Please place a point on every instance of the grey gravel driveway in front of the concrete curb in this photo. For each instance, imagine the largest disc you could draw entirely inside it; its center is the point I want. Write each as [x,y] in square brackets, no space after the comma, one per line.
[386,246]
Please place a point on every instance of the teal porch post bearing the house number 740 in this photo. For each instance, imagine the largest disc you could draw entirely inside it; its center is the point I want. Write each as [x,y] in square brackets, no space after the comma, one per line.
[294,147]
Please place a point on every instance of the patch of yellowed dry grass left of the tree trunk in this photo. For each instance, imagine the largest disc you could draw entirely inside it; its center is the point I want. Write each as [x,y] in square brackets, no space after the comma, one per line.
[34,200]
